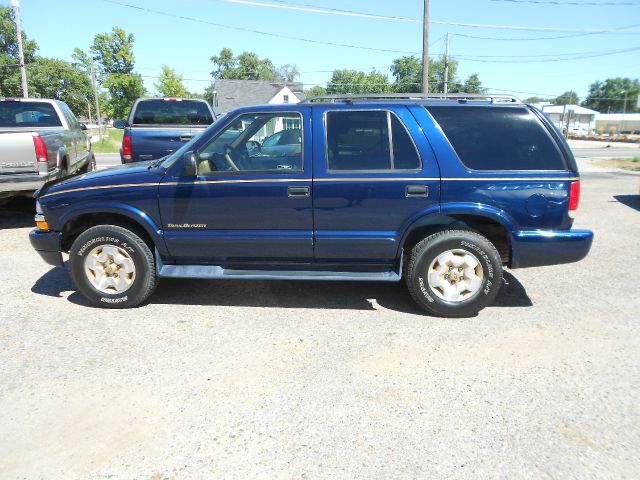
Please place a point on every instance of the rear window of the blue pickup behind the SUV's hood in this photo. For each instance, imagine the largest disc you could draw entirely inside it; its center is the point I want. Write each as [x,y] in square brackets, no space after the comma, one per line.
[172,112]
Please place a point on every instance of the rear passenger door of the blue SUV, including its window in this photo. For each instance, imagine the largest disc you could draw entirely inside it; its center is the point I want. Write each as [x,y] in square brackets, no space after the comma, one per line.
[373,173]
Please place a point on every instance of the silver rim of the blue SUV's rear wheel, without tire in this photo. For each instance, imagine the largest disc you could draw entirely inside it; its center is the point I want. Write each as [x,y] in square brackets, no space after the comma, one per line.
[455,275]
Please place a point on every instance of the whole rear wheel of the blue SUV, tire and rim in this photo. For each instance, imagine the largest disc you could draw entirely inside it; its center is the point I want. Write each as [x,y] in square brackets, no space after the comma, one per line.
[454,273]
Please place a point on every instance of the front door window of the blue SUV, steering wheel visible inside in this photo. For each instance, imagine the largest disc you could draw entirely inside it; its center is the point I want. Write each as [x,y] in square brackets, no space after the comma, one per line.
[260,142]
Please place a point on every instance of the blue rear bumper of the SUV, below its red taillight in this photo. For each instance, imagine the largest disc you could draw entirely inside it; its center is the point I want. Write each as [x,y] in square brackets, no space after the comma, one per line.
[549,247]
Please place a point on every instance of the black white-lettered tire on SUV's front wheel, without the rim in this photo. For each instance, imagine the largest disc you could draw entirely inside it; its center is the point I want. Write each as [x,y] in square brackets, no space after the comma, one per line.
[143,283]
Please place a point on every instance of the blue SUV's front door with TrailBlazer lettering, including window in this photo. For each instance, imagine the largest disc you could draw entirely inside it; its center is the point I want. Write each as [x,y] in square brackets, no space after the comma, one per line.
[251,201]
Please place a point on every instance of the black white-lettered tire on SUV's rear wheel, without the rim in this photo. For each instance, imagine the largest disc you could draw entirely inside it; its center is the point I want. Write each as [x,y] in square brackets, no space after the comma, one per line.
[427,250]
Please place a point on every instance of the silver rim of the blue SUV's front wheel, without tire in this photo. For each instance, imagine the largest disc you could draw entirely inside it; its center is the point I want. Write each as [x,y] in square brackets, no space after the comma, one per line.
[110,269]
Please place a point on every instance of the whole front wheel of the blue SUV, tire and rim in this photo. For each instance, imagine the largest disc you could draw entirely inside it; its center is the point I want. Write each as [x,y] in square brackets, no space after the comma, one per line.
[112,267]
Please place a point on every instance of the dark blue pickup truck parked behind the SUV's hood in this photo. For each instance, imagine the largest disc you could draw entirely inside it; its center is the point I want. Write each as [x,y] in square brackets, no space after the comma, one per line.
[157,127]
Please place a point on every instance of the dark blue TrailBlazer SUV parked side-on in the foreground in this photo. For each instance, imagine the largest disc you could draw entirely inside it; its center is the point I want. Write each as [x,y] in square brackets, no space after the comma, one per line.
[441,191]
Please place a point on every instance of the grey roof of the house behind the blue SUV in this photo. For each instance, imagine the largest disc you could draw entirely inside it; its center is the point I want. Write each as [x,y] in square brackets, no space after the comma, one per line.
[238,93]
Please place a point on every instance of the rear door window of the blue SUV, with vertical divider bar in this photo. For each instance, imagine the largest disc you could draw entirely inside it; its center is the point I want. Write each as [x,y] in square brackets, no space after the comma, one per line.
[369,140]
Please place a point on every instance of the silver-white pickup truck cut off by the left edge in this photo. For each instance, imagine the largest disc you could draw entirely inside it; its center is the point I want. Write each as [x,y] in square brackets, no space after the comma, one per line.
[40,140]
